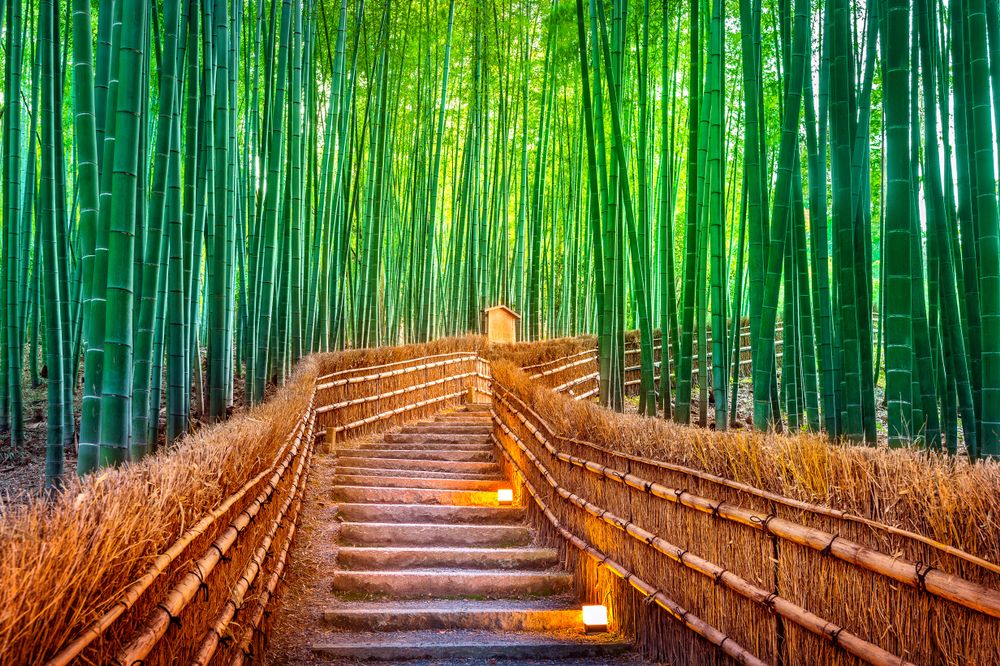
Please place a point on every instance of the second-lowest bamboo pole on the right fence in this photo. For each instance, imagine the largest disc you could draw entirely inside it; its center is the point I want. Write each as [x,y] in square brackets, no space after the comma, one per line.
[836,635]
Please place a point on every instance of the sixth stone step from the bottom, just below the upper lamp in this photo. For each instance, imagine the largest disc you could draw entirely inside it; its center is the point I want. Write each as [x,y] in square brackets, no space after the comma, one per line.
[430,513]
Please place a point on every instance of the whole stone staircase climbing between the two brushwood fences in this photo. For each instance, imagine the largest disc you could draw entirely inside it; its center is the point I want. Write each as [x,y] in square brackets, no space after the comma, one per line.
[431,569]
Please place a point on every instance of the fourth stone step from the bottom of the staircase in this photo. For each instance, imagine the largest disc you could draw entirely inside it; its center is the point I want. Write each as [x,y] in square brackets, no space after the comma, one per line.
[381,559]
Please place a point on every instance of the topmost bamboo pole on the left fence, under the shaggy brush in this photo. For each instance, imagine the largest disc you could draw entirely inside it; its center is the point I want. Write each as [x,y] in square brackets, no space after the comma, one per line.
[131,594]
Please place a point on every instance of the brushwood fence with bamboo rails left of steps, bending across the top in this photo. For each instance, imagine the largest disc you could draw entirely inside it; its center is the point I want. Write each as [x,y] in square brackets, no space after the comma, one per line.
[177,558]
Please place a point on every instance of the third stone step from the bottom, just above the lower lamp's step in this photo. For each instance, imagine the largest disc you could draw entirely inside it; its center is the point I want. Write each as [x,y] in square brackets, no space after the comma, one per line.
[418,583]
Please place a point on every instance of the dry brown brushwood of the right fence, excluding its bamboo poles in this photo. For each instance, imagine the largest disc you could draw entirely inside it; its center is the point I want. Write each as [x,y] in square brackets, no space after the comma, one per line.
[949,501]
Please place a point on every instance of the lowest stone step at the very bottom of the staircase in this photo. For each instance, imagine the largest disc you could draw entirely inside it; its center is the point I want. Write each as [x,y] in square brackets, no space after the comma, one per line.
[475,646]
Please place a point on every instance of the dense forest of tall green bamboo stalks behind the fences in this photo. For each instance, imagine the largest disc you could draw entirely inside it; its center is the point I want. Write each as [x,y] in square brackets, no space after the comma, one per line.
[788,207]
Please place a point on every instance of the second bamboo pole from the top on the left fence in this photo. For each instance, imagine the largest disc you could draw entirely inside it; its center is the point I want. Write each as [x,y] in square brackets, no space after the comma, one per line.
[159,618]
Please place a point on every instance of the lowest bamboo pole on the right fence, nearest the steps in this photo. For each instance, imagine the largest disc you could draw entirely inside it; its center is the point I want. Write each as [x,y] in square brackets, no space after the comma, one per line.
[688,619]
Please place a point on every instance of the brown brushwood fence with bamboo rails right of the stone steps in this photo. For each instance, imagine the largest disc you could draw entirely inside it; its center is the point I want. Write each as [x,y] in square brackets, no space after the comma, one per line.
[770,548]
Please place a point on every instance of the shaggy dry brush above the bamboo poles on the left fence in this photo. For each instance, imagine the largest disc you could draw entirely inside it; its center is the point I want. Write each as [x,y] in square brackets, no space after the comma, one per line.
[63,561]
